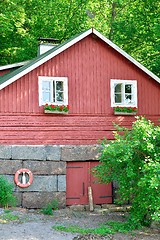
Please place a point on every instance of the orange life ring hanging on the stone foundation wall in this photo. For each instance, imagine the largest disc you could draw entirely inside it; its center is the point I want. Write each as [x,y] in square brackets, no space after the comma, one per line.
[24,184]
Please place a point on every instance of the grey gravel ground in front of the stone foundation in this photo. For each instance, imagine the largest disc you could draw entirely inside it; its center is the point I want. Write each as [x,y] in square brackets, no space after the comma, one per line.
[35,226]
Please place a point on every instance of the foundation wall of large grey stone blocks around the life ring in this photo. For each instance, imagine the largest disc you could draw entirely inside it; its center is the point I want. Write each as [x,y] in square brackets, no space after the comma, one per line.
[48,165]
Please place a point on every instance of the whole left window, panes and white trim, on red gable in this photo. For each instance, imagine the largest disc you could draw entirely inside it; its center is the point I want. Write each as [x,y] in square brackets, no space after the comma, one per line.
[53,90]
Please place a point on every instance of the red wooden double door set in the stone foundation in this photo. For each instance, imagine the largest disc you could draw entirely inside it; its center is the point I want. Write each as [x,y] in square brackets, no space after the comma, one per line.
[78,179]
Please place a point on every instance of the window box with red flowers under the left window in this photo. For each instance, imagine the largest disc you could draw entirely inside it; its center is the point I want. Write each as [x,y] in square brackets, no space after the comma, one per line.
[60,109]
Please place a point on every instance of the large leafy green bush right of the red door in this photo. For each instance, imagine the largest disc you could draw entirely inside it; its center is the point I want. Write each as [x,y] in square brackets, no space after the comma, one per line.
[133,160]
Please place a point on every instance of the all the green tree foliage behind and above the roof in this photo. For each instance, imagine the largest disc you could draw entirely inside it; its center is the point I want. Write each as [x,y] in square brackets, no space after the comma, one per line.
[133,25]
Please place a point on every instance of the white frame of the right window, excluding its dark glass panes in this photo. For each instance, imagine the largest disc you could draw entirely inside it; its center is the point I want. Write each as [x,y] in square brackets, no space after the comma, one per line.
[123,103]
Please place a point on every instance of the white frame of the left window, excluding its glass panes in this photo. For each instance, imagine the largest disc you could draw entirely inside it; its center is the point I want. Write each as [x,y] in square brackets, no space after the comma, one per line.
[51,79]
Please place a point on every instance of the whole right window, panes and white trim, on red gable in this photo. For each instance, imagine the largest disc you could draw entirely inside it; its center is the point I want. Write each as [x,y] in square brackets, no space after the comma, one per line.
[123,93]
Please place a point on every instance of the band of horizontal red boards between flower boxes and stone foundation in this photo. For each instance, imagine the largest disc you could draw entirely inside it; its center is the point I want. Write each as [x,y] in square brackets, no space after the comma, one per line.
[74,130]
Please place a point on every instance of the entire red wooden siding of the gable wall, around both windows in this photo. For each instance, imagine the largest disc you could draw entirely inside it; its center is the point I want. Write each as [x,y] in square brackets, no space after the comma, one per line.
[89,66]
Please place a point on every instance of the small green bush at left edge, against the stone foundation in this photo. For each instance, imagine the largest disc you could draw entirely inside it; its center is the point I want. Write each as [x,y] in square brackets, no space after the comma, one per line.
[6,193]
